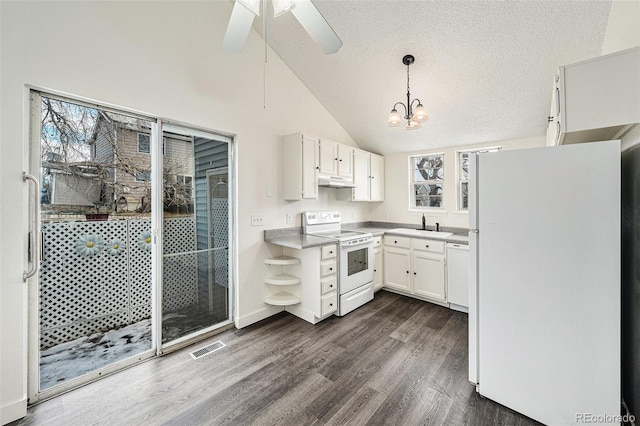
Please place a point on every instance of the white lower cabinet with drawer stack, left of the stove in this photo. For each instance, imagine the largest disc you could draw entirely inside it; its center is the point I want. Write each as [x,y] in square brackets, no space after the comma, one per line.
[318,288]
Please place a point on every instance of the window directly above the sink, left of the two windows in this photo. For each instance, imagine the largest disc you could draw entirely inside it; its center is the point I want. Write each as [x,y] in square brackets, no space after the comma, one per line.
[427,181]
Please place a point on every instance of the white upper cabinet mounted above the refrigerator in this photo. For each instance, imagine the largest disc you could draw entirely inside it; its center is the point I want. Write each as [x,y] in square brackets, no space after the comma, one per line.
[597,99]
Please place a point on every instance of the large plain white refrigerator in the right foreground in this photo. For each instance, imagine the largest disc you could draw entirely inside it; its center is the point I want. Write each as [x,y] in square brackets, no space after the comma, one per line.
[544,315]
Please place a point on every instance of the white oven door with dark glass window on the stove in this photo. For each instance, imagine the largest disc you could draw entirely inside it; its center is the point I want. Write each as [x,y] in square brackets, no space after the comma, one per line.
[356,266]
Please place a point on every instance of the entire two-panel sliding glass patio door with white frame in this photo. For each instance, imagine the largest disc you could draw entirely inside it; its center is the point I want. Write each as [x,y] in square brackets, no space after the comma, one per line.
[106,291]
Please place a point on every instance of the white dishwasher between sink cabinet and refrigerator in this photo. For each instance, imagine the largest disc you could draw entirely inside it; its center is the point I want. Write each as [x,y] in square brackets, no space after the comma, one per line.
[458,276]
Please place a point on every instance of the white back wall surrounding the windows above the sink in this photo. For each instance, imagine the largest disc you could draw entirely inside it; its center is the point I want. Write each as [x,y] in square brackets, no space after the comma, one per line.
[396,204]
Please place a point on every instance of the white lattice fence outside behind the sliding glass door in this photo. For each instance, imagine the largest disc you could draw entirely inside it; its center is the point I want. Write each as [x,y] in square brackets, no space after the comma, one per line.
[109,288]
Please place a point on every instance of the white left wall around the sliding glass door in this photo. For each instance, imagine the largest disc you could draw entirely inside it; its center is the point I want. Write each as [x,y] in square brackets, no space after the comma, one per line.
[164,59]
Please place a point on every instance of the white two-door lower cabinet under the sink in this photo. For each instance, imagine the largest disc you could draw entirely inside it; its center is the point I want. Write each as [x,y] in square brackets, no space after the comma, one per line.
[416,267]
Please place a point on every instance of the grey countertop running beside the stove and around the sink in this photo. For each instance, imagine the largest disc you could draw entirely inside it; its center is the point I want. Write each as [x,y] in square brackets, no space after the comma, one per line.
[292,238]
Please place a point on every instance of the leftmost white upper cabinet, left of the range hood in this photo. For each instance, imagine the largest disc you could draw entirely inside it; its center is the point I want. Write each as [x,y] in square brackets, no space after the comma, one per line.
[300,166]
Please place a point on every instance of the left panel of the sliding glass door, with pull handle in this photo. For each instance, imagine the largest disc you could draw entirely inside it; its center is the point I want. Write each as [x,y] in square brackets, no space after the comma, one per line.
[92,302]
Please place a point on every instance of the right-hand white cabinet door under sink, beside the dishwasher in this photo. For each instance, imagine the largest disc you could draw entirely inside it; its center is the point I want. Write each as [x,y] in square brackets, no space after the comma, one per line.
[428,276]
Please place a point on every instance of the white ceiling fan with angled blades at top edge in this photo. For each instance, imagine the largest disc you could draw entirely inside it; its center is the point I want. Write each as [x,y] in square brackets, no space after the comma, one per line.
[244,11]
